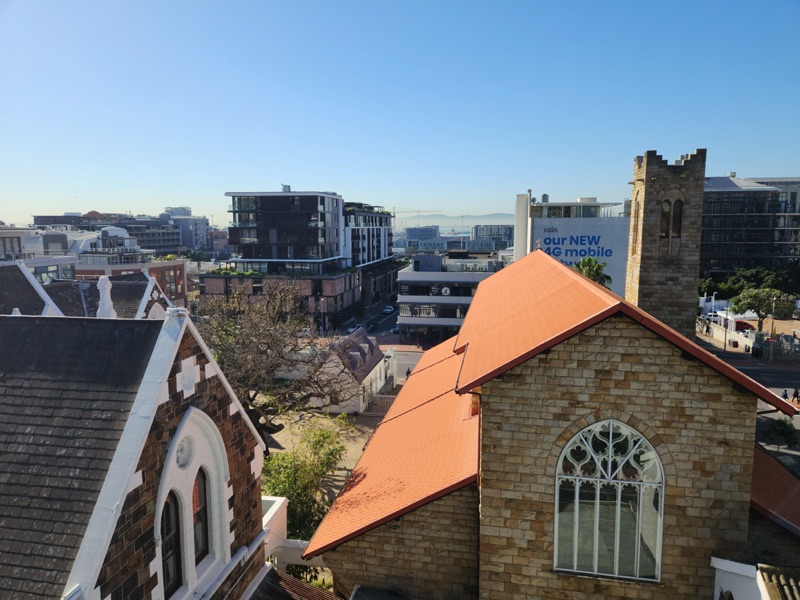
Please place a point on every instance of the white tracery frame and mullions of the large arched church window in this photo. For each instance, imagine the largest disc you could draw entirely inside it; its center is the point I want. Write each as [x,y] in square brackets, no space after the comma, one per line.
[616,470]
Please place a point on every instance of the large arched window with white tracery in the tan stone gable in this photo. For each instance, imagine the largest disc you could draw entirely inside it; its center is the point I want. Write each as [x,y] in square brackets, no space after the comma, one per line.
[609,504]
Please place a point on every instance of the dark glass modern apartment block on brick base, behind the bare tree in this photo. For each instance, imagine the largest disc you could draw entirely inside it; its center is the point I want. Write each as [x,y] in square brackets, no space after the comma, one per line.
[339,253]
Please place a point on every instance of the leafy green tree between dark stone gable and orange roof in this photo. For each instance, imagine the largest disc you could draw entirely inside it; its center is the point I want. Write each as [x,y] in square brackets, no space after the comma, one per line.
[300,473]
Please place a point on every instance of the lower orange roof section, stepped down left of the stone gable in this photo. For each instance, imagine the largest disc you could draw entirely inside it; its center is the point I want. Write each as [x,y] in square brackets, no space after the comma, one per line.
[425,448]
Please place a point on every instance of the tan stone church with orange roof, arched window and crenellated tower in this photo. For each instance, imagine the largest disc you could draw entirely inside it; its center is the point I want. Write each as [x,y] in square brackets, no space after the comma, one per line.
[567,444]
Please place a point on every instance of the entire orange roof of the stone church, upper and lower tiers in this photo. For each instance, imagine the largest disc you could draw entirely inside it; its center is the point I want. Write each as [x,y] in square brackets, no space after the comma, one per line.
[427,446]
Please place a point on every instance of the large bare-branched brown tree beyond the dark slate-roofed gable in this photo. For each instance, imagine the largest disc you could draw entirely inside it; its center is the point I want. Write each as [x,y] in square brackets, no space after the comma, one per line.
[267,348]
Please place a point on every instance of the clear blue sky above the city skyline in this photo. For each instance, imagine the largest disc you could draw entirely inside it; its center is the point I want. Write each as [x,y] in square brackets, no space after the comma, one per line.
[453,105]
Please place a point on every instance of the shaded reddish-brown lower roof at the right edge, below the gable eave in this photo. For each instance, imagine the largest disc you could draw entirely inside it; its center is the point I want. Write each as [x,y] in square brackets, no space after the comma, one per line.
[775,491]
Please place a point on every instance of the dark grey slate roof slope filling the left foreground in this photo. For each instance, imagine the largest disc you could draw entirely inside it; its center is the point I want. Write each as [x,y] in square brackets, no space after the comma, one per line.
[66,388]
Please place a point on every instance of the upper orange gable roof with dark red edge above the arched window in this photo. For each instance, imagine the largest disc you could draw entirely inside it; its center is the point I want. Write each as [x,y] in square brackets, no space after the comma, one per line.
[538,302]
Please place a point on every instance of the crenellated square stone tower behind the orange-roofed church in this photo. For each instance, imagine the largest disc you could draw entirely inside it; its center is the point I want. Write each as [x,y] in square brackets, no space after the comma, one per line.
[664,247]
